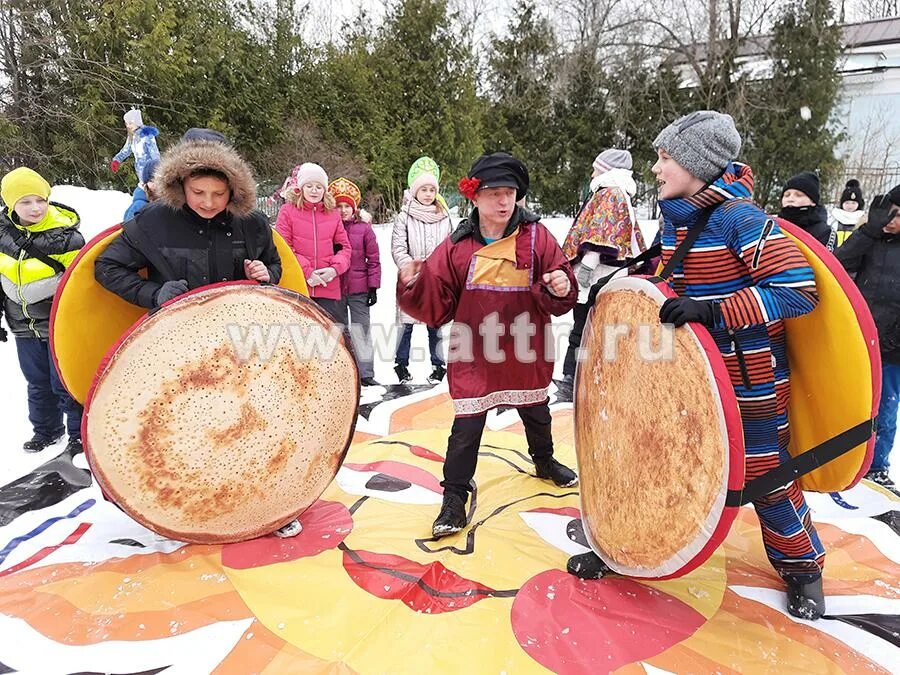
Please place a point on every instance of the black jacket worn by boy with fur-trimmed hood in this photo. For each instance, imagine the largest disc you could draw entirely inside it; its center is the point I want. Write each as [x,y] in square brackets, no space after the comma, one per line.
[198,250]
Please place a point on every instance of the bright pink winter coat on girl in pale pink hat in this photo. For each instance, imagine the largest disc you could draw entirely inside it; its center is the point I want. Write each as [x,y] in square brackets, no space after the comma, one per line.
[318,239]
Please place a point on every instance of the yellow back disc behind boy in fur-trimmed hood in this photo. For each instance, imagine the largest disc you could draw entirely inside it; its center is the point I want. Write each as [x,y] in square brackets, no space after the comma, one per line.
[87,319]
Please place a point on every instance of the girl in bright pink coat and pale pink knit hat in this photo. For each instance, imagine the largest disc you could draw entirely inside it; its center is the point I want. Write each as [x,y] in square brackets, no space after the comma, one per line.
[312,227]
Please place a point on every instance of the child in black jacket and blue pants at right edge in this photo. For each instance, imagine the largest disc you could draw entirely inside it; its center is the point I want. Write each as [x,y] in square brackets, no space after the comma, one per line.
[872,254]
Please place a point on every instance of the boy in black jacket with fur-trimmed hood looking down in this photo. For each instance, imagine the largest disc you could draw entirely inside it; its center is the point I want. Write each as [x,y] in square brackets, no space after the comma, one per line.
[203,229]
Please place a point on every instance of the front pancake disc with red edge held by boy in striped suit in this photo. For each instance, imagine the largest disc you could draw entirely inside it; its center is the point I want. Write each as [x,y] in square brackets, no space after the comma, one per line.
[652,439]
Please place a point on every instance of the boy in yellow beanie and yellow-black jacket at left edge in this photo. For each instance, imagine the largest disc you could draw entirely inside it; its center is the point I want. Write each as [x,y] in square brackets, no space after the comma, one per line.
[38,240]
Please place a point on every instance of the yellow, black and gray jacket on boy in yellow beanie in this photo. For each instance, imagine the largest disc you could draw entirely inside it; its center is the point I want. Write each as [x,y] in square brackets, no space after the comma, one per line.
[27,284]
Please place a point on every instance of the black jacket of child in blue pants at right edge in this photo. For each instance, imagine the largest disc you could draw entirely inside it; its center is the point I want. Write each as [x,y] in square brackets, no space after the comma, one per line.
[876,264]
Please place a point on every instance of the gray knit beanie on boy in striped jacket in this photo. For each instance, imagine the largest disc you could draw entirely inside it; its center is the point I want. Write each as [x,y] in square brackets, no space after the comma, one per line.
[703,142]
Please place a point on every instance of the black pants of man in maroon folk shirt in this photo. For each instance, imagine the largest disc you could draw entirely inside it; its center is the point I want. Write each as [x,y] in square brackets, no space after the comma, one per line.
[465,439]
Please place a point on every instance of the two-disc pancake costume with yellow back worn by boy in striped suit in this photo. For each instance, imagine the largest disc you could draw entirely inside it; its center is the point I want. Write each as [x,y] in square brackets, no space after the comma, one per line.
[659,440]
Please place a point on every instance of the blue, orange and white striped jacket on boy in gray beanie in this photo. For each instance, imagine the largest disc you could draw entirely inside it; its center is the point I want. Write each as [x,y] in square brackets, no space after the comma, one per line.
[759,277]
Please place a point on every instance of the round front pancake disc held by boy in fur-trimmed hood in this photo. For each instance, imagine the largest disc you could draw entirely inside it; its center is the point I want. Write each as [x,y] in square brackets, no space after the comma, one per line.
[224,415]
